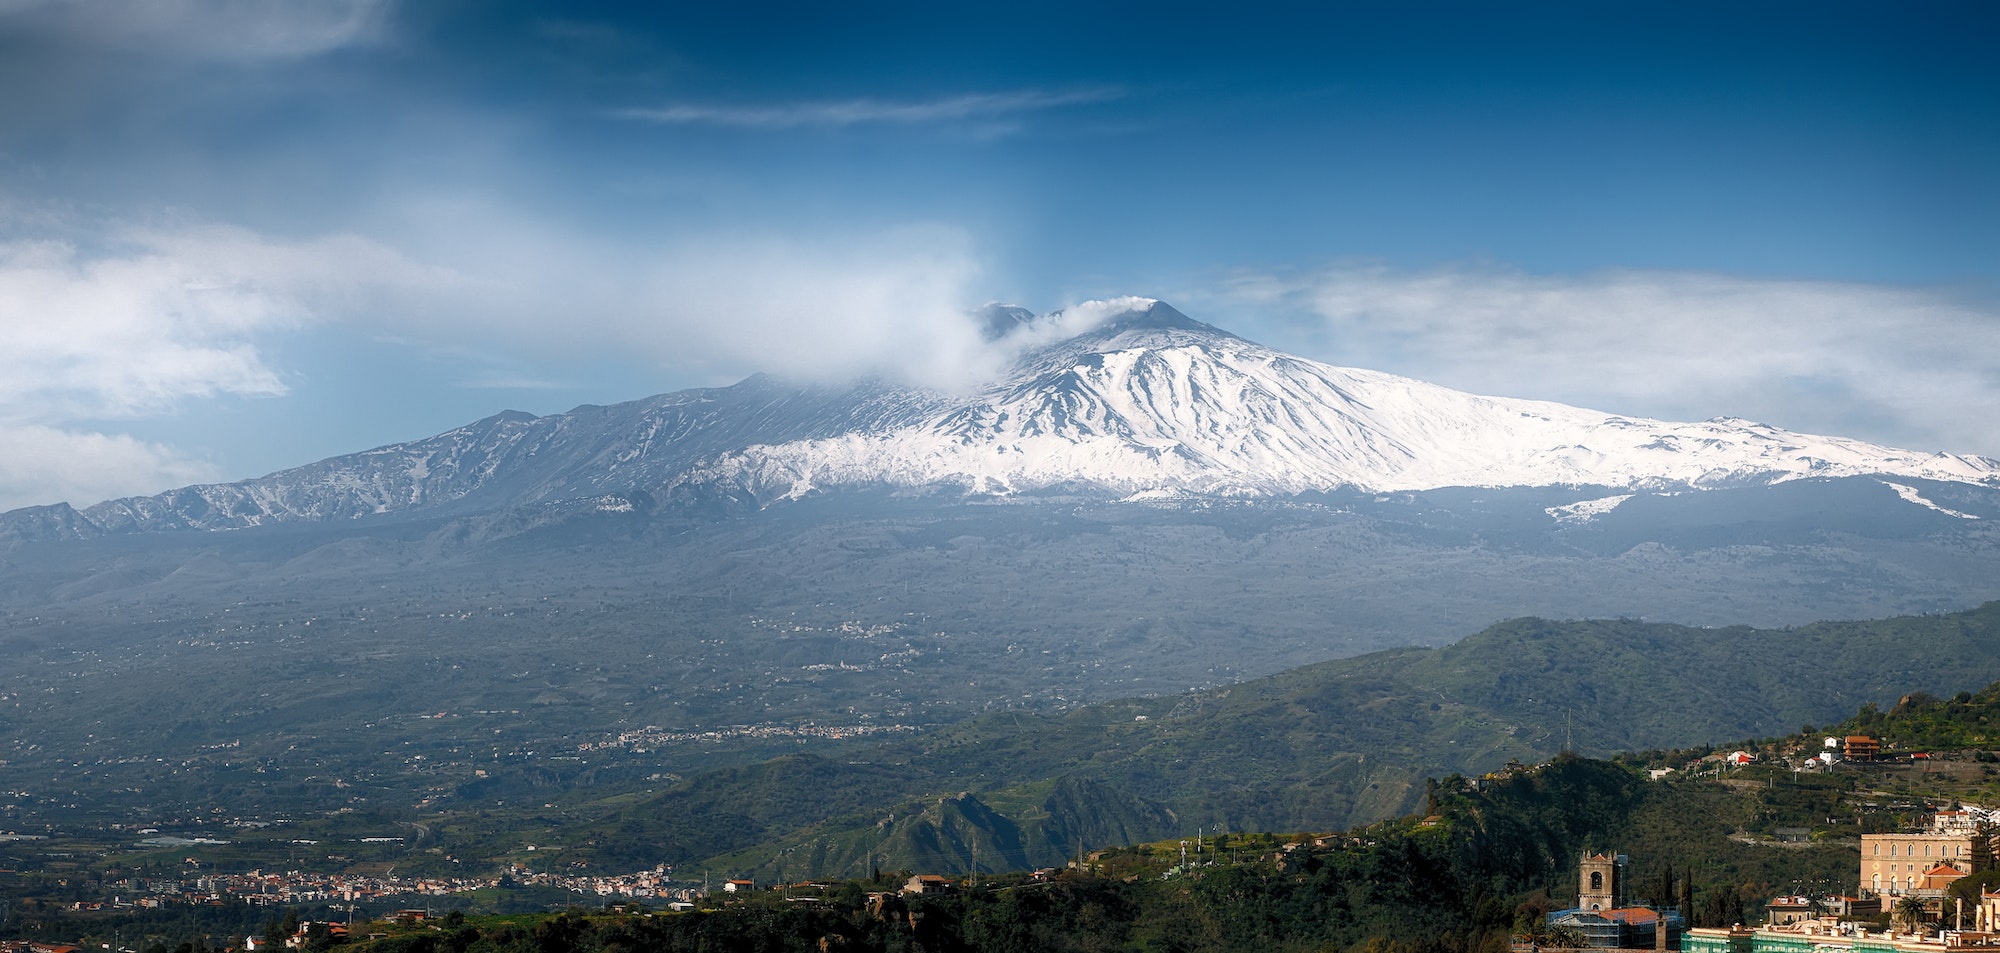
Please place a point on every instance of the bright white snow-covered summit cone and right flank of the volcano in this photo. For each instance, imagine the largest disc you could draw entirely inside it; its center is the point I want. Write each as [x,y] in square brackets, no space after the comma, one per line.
[1155,401]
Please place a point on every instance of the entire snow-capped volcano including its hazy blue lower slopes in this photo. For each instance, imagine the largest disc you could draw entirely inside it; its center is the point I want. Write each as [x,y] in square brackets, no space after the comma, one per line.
[621,598]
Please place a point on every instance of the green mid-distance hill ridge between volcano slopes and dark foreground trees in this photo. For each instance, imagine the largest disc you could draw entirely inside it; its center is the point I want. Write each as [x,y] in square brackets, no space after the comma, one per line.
[1311,750]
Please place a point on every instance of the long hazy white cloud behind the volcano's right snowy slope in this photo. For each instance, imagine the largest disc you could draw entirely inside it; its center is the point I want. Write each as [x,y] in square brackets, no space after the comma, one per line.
[1895,365]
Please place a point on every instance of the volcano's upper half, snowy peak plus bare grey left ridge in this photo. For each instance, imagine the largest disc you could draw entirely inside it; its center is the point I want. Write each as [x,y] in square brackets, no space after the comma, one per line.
[1125,397]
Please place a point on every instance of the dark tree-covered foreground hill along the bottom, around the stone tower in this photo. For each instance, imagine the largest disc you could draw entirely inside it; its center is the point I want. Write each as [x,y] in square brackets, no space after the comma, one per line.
[1481,866]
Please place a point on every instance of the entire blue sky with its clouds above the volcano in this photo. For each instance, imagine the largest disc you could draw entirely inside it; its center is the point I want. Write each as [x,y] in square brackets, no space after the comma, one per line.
[239,237]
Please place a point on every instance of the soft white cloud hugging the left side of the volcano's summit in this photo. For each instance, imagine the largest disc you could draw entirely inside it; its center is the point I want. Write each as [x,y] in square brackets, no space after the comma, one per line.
[813,305]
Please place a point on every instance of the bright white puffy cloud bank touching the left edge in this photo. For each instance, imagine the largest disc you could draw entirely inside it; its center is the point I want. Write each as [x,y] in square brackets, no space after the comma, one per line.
[137,321]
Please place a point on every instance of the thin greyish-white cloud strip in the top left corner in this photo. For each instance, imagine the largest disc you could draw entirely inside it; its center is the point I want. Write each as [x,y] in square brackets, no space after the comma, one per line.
[237,31]
